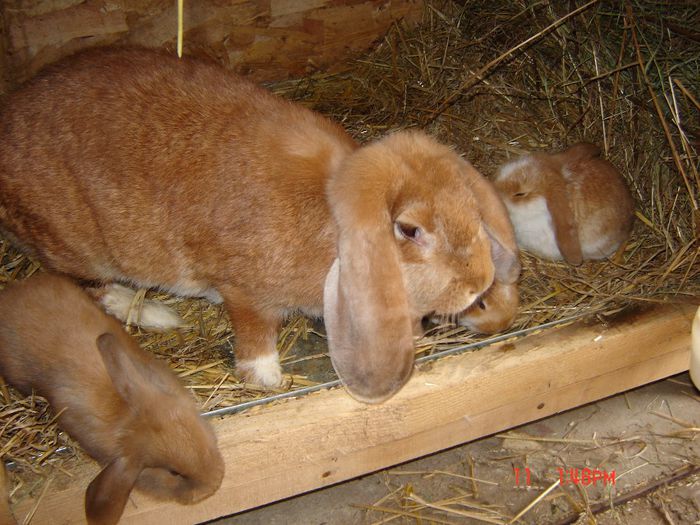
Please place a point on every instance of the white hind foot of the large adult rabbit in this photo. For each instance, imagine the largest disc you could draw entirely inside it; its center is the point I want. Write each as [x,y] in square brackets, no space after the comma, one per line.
[119,301]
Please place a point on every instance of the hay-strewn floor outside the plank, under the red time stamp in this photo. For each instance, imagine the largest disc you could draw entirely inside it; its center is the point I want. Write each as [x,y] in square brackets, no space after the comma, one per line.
[546,494]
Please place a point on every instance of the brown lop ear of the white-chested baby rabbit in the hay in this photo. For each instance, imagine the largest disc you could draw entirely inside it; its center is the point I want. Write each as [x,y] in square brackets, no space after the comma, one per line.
[561,210]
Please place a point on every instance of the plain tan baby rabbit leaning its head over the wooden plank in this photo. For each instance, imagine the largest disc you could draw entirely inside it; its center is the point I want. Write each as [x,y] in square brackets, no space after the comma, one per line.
[127,410]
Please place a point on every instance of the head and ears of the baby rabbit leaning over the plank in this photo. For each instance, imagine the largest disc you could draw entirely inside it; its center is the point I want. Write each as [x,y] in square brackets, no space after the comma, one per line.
[166,449]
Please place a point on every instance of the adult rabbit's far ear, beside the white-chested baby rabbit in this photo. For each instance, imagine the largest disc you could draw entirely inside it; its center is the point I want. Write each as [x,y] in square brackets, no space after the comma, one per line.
[504,248]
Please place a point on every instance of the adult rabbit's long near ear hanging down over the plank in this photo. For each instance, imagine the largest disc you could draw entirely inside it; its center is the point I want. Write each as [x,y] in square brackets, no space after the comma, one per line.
[366,306]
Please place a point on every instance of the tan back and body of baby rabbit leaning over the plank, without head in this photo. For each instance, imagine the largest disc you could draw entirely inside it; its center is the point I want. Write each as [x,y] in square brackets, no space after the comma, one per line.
[48,345]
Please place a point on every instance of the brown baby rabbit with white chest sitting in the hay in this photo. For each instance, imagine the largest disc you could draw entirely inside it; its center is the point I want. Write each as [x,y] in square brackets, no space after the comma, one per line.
[573,205]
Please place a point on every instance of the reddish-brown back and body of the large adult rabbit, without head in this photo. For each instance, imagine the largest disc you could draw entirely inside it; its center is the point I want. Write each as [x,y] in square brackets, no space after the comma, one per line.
[131,164]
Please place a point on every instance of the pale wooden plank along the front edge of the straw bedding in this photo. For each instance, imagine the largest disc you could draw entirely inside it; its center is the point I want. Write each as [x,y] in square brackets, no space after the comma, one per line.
[281,450]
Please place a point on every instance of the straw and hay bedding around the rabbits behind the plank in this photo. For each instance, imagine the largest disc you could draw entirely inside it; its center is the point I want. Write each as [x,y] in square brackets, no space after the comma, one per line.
[496,79]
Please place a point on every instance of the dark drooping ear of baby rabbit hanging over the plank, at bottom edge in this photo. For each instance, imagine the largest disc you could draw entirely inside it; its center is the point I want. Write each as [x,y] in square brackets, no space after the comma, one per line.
[107,494]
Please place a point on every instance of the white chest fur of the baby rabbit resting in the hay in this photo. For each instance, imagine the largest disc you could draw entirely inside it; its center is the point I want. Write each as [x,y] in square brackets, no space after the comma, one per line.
[533,228]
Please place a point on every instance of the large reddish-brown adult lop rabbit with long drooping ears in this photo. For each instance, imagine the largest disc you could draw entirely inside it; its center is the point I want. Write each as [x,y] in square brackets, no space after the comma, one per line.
[134,166]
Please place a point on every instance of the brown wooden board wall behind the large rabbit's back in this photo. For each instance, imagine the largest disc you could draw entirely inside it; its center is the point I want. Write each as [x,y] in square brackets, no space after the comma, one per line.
[267,39]
